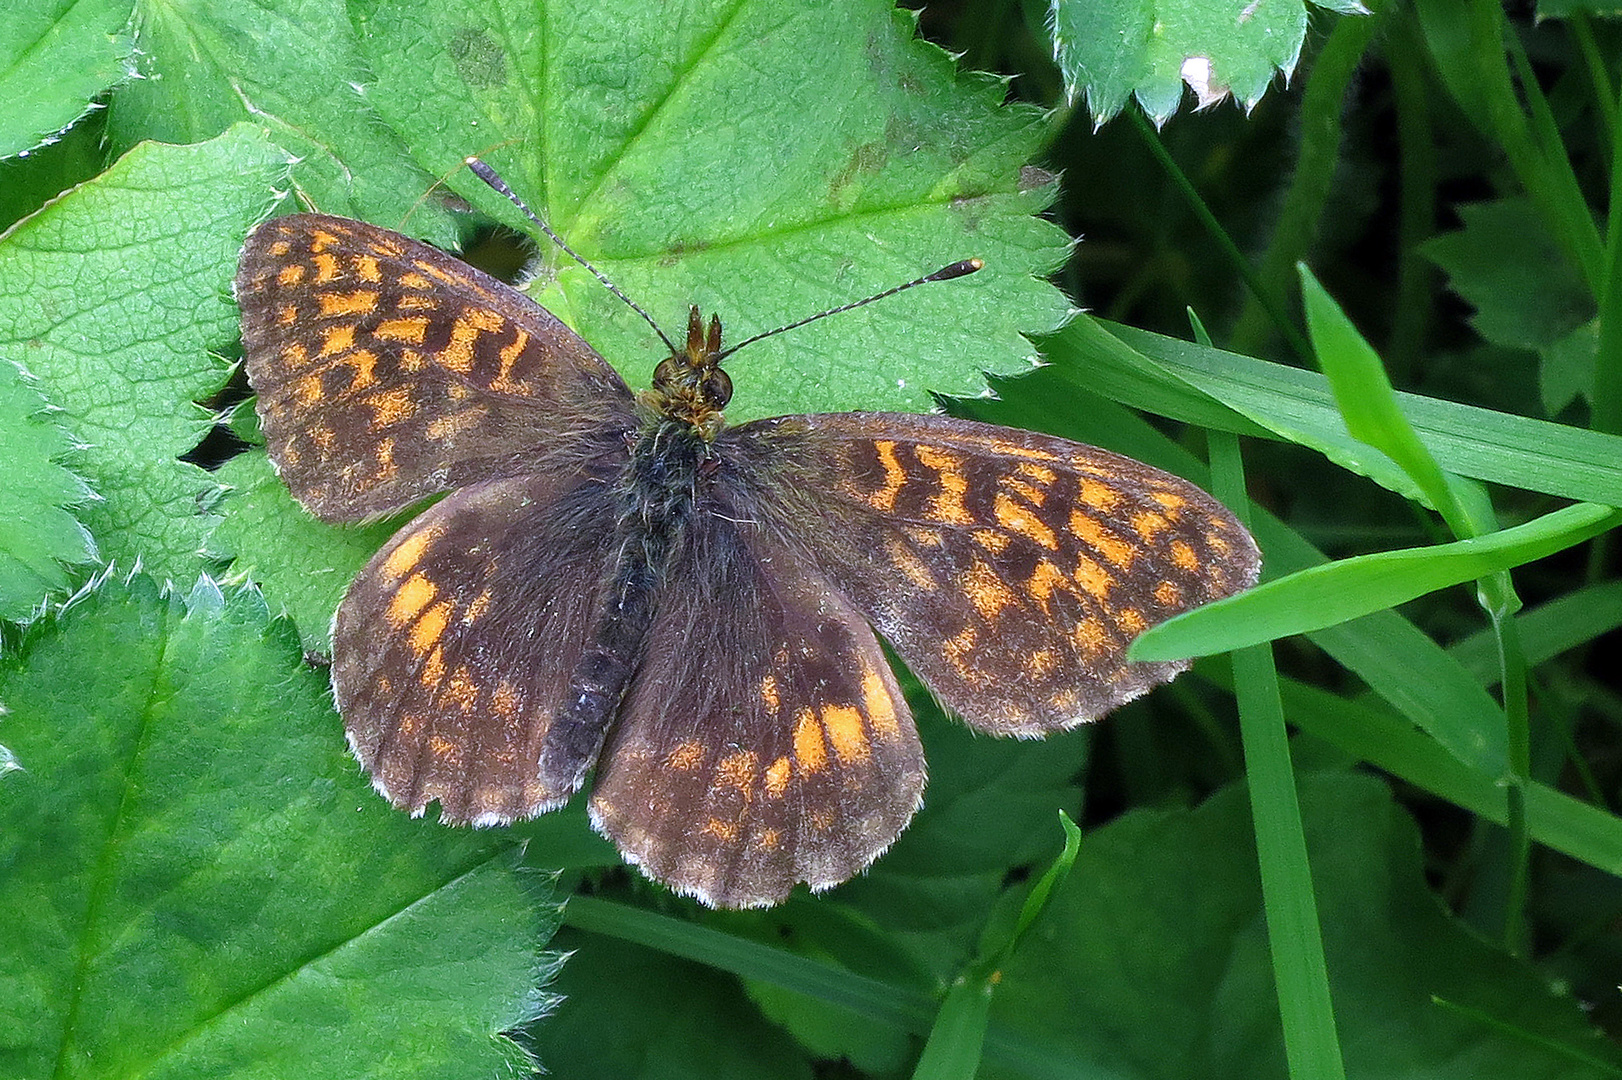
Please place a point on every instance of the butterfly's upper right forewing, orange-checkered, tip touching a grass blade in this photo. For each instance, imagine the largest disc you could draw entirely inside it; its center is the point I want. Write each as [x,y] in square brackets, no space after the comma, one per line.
[1010,570]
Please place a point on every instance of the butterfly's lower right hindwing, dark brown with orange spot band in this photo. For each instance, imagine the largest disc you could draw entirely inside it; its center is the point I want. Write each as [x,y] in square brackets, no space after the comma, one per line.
[765,740]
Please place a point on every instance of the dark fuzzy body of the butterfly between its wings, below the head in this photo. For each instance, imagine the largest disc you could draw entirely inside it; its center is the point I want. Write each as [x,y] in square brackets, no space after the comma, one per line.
[656,495]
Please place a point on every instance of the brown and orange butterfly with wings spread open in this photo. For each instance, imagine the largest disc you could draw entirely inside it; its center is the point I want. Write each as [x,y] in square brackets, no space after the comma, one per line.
[622,581]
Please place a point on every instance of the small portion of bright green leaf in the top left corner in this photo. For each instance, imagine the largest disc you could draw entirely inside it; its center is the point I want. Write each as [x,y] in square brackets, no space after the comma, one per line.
[56,59]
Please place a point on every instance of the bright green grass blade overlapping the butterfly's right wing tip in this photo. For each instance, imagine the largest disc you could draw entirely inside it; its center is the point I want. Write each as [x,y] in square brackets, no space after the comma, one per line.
[1350,589]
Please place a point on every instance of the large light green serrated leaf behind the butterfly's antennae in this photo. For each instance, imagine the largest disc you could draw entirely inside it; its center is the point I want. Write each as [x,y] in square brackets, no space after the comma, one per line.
[781,208]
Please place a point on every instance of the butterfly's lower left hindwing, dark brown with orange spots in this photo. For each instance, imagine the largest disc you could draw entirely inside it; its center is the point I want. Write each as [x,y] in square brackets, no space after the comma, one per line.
[453,648]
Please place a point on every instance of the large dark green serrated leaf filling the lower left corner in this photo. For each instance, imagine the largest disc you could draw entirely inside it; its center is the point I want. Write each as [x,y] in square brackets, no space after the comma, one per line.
[189,823]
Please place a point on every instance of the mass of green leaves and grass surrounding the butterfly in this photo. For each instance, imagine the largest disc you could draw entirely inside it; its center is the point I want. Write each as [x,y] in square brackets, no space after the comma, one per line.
[199,883]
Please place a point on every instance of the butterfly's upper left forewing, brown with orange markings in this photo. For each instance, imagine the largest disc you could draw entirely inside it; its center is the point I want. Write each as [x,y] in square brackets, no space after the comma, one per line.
[388,371]
